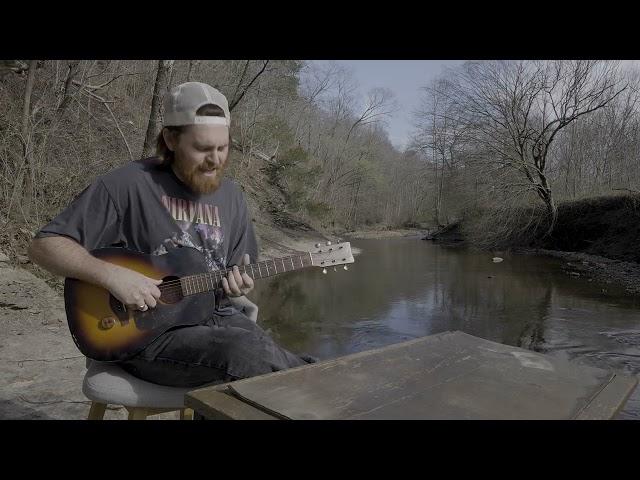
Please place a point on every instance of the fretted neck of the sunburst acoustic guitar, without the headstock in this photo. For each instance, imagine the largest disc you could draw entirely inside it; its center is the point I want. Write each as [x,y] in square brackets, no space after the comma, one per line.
[206,282]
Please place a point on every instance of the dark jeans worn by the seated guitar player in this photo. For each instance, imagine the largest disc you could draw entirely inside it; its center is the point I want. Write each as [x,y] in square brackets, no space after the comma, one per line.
[223,349]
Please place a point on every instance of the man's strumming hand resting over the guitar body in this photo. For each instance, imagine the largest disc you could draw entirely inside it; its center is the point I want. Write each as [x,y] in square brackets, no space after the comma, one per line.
[134,289]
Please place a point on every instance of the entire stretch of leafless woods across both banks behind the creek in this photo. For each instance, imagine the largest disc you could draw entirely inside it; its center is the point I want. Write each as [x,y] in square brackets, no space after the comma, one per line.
[499,143]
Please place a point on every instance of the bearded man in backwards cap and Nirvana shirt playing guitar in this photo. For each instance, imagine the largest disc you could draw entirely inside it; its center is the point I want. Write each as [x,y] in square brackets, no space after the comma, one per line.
[177,199]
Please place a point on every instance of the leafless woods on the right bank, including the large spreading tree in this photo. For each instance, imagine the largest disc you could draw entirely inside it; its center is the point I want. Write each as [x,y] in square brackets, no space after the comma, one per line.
[507,140]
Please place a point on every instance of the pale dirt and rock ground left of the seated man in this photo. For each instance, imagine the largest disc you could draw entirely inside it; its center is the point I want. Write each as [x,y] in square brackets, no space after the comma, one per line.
[41,370]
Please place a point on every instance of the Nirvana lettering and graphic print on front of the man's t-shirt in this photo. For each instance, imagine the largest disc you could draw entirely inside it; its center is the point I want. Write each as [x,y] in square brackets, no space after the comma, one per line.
[200,228]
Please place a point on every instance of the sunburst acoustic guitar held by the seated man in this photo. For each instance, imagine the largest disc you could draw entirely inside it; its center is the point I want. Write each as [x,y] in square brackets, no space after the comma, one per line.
[104,329]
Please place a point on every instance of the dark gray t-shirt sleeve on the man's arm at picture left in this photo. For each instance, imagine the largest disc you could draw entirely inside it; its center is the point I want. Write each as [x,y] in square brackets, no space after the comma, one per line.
[91,219]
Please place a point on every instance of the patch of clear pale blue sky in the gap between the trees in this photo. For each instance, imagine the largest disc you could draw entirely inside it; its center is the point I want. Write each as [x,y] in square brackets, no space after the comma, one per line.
[404,78]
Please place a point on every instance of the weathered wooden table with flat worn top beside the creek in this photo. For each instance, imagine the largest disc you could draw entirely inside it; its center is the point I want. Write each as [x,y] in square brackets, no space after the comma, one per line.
[450,375]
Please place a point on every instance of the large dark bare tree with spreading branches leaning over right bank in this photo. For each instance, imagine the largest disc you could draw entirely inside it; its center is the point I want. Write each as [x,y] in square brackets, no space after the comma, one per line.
[513,111]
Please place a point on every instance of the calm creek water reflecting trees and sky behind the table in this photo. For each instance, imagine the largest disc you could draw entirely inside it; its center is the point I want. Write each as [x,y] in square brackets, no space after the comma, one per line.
[400,289]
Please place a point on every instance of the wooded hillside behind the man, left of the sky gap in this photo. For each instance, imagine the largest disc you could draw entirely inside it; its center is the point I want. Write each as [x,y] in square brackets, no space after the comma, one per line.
[66,122]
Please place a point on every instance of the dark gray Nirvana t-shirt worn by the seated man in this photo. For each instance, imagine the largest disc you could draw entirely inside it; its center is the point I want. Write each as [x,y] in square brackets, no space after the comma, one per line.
[144,206]
